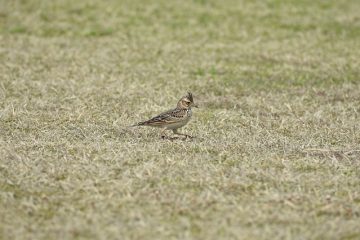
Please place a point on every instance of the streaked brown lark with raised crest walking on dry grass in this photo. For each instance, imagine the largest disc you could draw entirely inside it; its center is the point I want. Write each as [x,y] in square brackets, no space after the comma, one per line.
[174,118]
